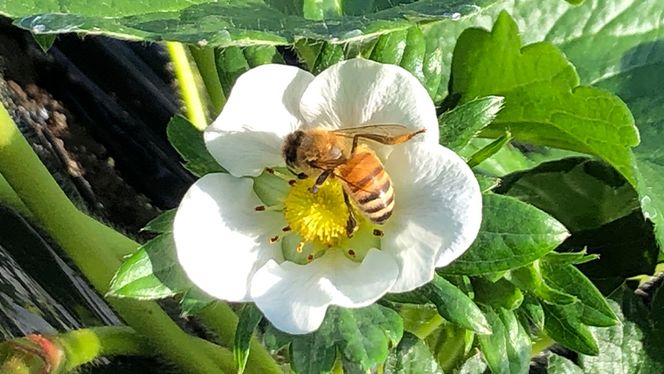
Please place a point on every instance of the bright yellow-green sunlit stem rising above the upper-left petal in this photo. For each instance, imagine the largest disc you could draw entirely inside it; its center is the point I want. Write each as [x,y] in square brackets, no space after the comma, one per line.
[188,89]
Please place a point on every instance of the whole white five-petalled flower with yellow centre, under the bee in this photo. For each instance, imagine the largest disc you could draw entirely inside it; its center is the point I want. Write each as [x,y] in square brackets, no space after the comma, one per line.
[235,250]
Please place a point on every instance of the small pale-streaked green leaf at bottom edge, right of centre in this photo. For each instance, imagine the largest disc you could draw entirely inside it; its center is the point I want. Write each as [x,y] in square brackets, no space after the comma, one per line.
[507,349]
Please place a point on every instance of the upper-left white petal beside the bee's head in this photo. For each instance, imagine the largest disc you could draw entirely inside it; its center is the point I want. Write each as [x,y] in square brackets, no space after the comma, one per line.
[262,109]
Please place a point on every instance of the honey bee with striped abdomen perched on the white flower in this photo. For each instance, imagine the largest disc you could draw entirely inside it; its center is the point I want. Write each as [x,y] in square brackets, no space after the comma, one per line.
[339,153]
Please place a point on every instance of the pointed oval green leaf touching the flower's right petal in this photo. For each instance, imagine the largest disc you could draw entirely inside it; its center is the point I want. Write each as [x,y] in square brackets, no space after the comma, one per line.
[513,234]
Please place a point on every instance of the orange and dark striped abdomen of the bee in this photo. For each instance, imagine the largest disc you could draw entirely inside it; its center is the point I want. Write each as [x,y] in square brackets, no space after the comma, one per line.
[366,182]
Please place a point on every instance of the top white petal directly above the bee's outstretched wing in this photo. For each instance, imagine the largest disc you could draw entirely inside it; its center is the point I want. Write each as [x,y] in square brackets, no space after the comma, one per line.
[360,92]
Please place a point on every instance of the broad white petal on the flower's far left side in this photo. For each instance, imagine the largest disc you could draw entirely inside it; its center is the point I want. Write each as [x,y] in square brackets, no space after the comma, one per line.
[221,240]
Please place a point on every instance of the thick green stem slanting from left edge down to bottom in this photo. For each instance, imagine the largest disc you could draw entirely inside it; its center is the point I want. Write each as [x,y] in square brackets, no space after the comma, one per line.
[95,248]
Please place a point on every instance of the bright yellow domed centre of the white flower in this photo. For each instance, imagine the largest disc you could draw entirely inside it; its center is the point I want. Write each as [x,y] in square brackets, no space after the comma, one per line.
[318,217]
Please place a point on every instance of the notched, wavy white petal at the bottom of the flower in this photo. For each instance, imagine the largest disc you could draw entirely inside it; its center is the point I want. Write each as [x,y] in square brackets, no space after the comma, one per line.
[295,297]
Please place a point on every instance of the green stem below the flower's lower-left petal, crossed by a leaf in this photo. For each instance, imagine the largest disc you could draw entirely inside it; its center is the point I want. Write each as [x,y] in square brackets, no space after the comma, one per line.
[223,321]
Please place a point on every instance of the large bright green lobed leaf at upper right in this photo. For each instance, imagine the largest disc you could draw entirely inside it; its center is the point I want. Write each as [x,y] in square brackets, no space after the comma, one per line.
[544,103]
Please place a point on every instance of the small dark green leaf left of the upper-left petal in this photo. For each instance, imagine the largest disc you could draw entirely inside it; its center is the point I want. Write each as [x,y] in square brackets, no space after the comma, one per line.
[190,145]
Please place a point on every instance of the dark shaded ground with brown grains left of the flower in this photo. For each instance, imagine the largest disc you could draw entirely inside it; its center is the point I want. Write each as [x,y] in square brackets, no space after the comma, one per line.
[92,149]
